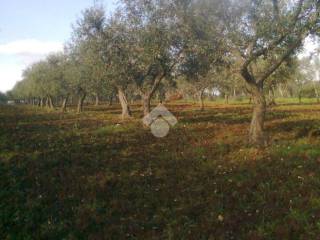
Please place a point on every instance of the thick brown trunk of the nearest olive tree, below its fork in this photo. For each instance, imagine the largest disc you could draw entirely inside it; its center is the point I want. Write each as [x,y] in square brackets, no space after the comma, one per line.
[256,134]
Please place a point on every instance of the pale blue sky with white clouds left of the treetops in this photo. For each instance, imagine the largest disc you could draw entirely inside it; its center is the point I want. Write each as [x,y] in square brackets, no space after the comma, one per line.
[31,29]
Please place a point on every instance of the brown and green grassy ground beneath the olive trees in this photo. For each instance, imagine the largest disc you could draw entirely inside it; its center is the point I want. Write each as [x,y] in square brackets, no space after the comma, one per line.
[93,176]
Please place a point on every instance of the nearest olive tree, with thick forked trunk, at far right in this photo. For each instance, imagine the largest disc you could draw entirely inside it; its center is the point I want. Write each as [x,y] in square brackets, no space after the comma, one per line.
[267,32]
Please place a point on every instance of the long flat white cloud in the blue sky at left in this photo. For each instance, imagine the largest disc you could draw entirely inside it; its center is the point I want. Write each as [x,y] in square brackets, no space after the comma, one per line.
[30,47]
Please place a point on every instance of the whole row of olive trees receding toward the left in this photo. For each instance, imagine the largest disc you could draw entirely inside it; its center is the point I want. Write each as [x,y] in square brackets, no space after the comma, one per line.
[208,42]
